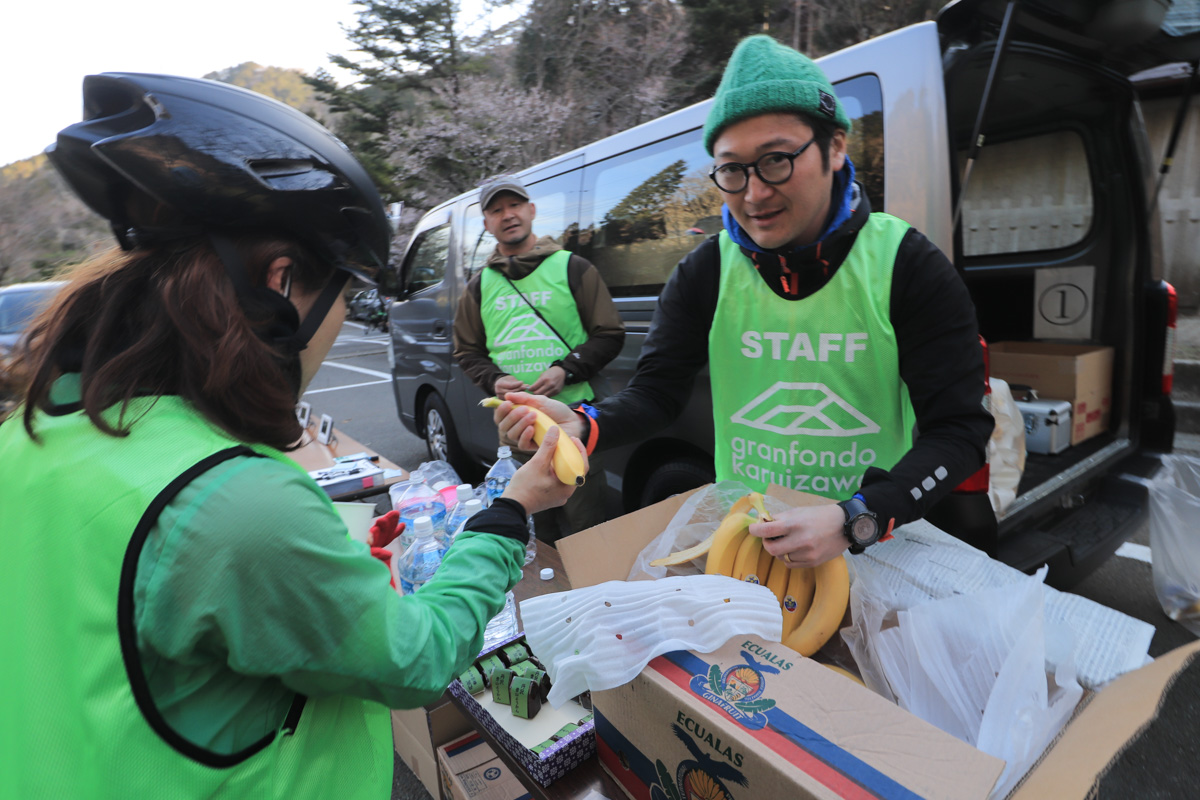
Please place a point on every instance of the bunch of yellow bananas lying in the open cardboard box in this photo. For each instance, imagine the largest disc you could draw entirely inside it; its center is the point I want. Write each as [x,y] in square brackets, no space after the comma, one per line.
[814,599]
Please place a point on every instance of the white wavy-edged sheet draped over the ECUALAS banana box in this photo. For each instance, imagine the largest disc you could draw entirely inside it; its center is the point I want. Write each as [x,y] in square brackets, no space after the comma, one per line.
[601,637]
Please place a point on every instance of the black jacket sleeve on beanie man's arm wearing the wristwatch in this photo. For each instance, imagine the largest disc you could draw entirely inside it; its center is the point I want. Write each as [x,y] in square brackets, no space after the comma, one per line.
[941,363]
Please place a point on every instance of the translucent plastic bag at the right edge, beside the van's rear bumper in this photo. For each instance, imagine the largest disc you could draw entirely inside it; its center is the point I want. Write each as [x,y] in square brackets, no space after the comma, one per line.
[1175,539]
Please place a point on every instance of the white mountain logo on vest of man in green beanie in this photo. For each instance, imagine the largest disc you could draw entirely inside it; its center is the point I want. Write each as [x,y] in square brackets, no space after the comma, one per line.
[812,410]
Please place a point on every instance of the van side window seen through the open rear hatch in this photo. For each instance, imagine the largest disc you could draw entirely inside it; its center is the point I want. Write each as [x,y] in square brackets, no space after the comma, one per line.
[1028,195]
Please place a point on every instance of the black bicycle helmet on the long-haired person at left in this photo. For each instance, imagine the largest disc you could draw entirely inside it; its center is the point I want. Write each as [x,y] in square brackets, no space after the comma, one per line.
[163,157]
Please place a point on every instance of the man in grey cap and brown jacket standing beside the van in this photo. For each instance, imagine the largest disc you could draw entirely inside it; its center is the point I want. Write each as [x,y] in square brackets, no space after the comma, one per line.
[539,320]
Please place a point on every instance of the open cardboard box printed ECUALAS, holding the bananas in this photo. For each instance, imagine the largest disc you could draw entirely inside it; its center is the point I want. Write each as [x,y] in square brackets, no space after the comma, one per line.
[757,720]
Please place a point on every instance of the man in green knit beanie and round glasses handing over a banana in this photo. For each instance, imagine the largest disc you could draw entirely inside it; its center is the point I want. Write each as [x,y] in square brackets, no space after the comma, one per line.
[832,335]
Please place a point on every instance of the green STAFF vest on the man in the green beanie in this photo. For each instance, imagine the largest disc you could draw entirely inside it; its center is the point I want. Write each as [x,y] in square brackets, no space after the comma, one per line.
[807,394]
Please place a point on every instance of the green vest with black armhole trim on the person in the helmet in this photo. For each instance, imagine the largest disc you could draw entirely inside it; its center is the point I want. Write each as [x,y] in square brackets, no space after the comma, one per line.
[76,718]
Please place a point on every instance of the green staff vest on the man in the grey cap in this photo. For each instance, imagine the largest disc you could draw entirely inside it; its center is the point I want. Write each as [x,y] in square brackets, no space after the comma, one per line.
[519,342]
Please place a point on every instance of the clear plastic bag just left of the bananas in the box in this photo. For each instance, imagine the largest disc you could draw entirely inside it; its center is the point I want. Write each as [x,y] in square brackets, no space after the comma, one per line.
[692,525]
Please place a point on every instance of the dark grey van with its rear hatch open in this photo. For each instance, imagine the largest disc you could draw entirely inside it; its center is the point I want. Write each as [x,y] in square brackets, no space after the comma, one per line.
[1063,182]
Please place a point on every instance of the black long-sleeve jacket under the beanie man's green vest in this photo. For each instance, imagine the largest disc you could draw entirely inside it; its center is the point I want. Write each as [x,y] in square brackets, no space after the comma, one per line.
[940,356]
